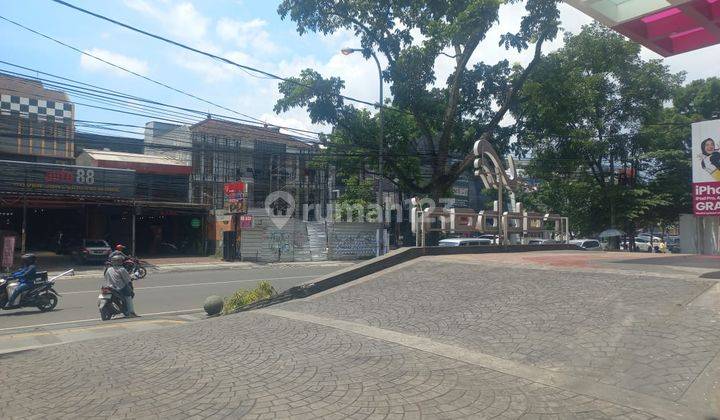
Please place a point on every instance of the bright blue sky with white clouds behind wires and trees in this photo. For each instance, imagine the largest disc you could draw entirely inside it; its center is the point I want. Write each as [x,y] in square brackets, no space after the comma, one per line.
[246,31]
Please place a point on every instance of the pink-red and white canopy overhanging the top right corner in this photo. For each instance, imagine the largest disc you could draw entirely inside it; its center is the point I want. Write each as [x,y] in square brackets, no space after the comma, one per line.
[668,27]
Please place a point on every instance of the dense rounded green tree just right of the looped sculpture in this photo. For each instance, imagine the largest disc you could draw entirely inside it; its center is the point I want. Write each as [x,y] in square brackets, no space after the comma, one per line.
[582,116]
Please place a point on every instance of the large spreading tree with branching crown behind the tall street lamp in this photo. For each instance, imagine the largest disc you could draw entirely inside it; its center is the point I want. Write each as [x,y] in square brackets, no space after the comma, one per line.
[431,124]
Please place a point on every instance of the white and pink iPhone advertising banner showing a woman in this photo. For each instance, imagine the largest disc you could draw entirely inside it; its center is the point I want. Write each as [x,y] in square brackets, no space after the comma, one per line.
[706,168]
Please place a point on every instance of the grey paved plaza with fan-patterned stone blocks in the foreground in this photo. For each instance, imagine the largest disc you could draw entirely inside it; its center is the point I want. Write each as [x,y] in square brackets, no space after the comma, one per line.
[496,336]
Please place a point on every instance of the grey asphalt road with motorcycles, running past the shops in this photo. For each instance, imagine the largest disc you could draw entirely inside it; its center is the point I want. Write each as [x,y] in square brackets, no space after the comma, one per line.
[158,292]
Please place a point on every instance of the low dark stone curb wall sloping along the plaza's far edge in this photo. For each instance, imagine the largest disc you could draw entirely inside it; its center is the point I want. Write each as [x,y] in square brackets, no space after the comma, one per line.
[399,256]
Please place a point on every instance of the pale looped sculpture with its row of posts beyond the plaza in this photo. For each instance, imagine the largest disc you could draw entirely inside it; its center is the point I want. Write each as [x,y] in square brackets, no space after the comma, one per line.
[513,226]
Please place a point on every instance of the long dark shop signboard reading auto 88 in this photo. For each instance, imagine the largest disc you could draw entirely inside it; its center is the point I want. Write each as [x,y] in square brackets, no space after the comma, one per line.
[65,180]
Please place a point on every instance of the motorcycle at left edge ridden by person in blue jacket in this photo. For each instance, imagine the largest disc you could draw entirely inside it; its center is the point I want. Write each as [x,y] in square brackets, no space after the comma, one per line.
[42,295]
